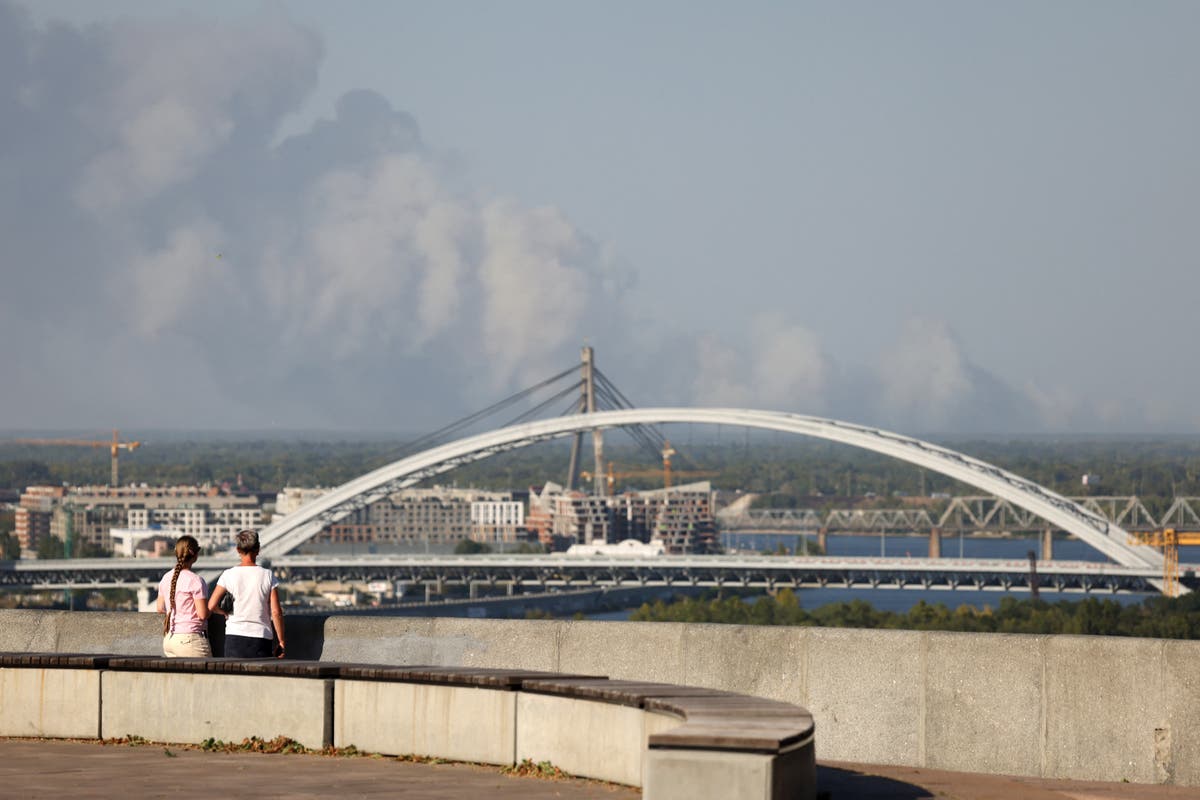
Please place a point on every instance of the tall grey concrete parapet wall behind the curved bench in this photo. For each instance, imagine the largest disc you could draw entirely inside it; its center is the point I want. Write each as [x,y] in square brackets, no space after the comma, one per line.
[1087,708]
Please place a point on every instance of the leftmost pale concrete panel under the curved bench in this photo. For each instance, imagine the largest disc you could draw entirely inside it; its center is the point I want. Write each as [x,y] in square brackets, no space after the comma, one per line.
[55,703]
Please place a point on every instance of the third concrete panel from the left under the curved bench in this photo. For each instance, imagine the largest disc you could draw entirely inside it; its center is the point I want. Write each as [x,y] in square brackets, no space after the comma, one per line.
[477,725]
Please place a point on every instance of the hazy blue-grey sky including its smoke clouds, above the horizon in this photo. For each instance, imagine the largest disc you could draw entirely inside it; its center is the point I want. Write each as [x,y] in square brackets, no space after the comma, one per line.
[931,216]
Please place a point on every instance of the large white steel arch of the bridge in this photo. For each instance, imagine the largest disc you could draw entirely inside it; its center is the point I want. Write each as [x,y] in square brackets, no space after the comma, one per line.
[307,522]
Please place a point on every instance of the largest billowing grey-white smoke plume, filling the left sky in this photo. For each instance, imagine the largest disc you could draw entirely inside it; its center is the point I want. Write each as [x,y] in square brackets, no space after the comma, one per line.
[339,276]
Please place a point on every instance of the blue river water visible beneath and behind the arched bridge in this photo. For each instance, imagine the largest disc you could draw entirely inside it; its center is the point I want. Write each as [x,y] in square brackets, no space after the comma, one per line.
[899,546]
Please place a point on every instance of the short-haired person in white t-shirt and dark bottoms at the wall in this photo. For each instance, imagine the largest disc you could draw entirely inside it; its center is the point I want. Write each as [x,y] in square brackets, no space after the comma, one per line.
[255,627]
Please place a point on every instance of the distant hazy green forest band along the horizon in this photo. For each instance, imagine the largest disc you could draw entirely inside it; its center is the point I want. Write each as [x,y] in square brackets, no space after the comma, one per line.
[789,472]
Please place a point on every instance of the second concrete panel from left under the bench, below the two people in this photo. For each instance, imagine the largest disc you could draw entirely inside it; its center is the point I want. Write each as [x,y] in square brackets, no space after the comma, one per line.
[191,708]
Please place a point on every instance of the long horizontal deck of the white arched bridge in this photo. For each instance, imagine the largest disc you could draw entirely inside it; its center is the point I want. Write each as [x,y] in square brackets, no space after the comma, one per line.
[543,572]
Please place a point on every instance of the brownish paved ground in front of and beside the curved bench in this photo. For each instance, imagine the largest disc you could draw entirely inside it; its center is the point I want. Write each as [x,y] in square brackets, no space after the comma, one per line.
[87,771]
